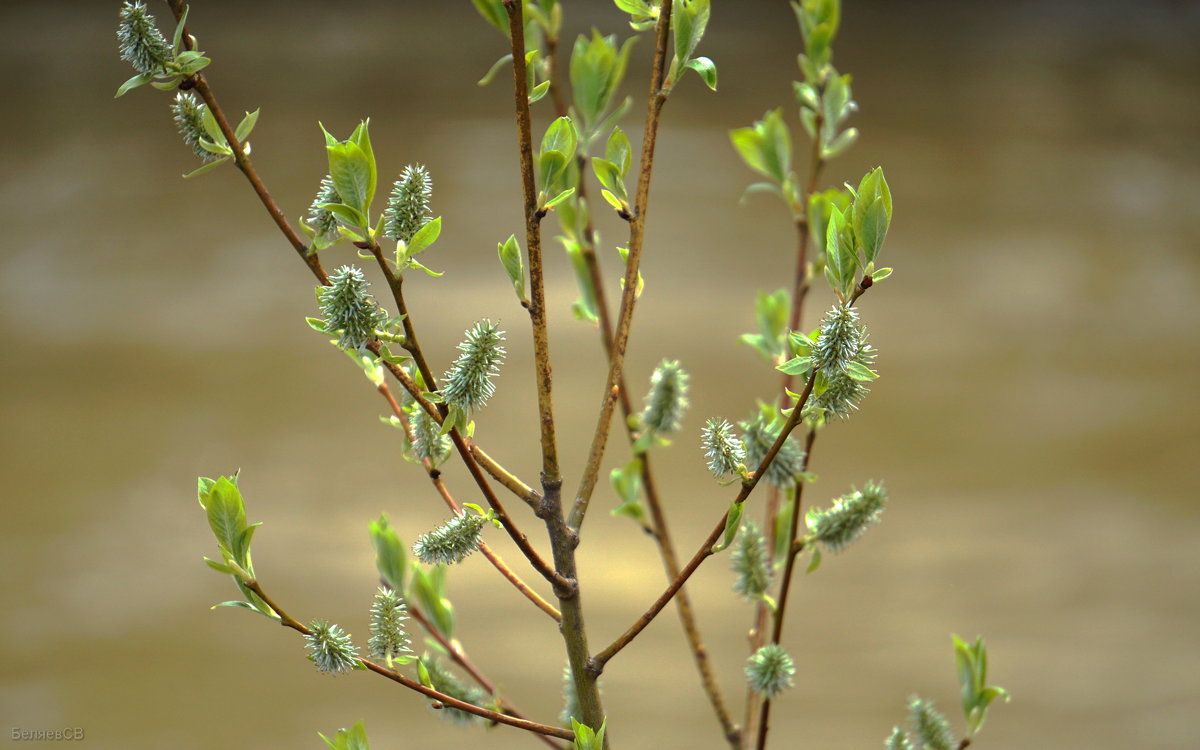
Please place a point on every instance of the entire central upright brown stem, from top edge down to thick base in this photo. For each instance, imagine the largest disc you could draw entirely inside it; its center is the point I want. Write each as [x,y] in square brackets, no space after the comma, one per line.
[563,539]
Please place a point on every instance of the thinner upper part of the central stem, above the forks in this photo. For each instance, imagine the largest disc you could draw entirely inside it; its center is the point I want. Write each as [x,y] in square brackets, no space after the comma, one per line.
[533,243]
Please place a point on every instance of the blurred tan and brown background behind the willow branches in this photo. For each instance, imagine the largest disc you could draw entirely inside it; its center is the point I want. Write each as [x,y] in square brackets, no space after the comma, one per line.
[1035,422]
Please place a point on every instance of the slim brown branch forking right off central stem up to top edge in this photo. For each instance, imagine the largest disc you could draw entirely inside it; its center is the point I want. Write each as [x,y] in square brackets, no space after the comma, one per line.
[629,296]
